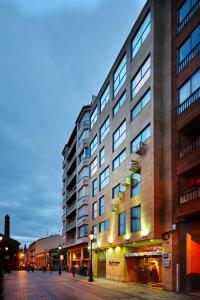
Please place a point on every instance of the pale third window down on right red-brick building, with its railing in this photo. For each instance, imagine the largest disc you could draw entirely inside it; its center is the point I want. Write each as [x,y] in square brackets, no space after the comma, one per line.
[189,92]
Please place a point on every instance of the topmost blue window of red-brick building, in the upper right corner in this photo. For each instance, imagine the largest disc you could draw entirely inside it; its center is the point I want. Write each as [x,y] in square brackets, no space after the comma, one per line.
[186,11]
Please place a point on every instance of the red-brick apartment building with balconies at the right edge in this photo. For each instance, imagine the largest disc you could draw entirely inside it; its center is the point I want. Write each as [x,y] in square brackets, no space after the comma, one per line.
[186,140]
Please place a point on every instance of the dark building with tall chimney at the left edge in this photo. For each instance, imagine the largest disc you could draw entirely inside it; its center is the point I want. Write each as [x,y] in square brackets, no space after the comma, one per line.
[9,258]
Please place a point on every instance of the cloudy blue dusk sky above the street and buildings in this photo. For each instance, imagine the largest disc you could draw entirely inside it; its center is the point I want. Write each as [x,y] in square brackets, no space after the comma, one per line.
[54,55]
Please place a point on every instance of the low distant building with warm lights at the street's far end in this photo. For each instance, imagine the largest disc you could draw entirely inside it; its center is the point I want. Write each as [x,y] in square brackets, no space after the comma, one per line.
[44,252]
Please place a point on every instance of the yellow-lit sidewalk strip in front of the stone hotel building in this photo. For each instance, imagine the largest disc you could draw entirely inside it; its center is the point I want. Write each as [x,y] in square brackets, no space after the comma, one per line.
[142,291]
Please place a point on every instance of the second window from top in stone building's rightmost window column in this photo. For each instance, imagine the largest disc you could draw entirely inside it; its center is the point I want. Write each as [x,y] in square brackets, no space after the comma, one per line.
[141,77]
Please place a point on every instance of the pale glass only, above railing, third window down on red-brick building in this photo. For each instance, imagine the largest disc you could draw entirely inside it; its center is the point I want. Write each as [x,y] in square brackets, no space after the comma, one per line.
[189,87]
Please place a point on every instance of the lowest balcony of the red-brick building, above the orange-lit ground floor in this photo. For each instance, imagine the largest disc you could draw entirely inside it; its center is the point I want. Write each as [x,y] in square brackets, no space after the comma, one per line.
[189,203]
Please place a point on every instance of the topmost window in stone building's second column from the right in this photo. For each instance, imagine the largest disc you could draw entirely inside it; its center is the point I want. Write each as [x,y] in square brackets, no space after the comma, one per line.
[120,75]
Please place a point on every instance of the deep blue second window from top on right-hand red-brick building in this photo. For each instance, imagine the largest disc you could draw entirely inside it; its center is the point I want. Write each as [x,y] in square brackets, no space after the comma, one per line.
[189,45]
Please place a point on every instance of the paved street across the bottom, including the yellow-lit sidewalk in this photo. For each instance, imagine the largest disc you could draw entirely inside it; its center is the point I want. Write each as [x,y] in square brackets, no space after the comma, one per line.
[38,285]
